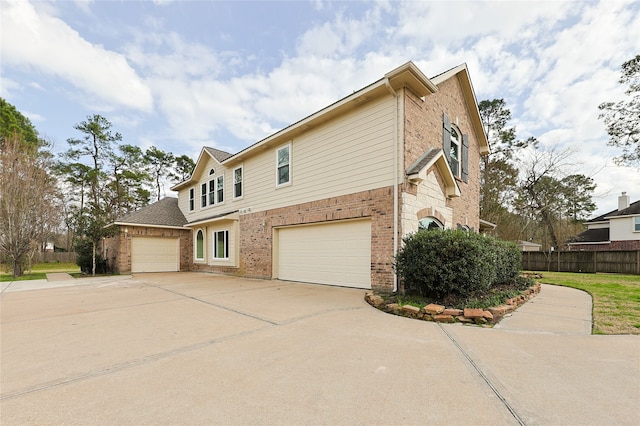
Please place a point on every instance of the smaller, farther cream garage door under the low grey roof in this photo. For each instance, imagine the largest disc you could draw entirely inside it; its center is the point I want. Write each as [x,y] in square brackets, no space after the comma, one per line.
[155,254]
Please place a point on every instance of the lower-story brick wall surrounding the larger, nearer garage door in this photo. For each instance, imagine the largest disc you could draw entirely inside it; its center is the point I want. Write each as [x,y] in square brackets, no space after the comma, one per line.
[256,233]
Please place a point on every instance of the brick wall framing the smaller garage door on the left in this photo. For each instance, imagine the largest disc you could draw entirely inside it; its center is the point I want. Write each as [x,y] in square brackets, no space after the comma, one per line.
[118,247]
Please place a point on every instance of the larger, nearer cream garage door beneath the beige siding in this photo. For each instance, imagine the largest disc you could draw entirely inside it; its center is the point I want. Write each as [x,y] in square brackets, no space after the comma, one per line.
[336,254]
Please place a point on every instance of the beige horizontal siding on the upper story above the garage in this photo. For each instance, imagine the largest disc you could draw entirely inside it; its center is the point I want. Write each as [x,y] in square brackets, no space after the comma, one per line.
[349,154]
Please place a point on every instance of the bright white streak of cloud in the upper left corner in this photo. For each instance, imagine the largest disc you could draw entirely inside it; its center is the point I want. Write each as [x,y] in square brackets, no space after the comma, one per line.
[49,45]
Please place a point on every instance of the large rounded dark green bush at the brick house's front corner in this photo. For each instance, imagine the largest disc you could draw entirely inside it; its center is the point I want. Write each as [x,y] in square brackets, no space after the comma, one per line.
[457,263]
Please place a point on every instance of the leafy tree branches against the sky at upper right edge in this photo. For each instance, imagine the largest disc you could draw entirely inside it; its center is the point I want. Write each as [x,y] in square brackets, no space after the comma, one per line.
[622,118]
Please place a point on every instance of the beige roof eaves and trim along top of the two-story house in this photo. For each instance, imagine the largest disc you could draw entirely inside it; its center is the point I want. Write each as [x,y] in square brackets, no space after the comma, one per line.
[407,75]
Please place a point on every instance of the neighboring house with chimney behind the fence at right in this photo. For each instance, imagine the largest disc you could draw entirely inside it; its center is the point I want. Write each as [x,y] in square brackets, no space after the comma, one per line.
[616,230]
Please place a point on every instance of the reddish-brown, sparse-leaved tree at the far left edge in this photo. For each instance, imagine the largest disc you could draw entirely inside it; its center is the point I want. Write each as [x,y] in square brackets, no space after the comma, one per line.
[29,201]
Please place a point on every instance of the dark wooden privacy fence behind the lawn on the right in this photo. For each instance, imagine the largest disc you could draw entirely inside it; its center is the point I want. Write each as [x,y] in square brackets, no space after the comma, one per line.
[617,262]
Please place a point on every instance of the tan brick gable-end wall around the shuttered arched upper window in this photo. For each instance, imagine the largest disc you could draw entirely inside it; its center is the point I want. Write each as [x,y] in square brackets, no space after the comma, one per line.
[423,130]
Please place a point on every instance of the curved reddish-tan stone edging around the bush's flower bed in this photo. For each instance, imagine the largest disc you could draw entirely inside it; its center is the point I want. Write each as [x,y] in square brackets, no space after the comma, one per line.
[439,313]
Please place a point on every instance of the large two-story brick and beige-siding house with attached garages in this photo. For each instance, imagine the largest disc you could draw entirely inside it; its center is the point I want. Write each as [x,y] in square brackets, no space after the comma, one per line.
[328,199]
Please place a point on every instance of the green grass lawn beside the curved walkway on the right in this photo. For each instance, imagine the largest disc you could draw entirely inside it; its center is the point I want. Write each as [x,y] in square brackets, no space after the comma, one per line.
[616,299]
